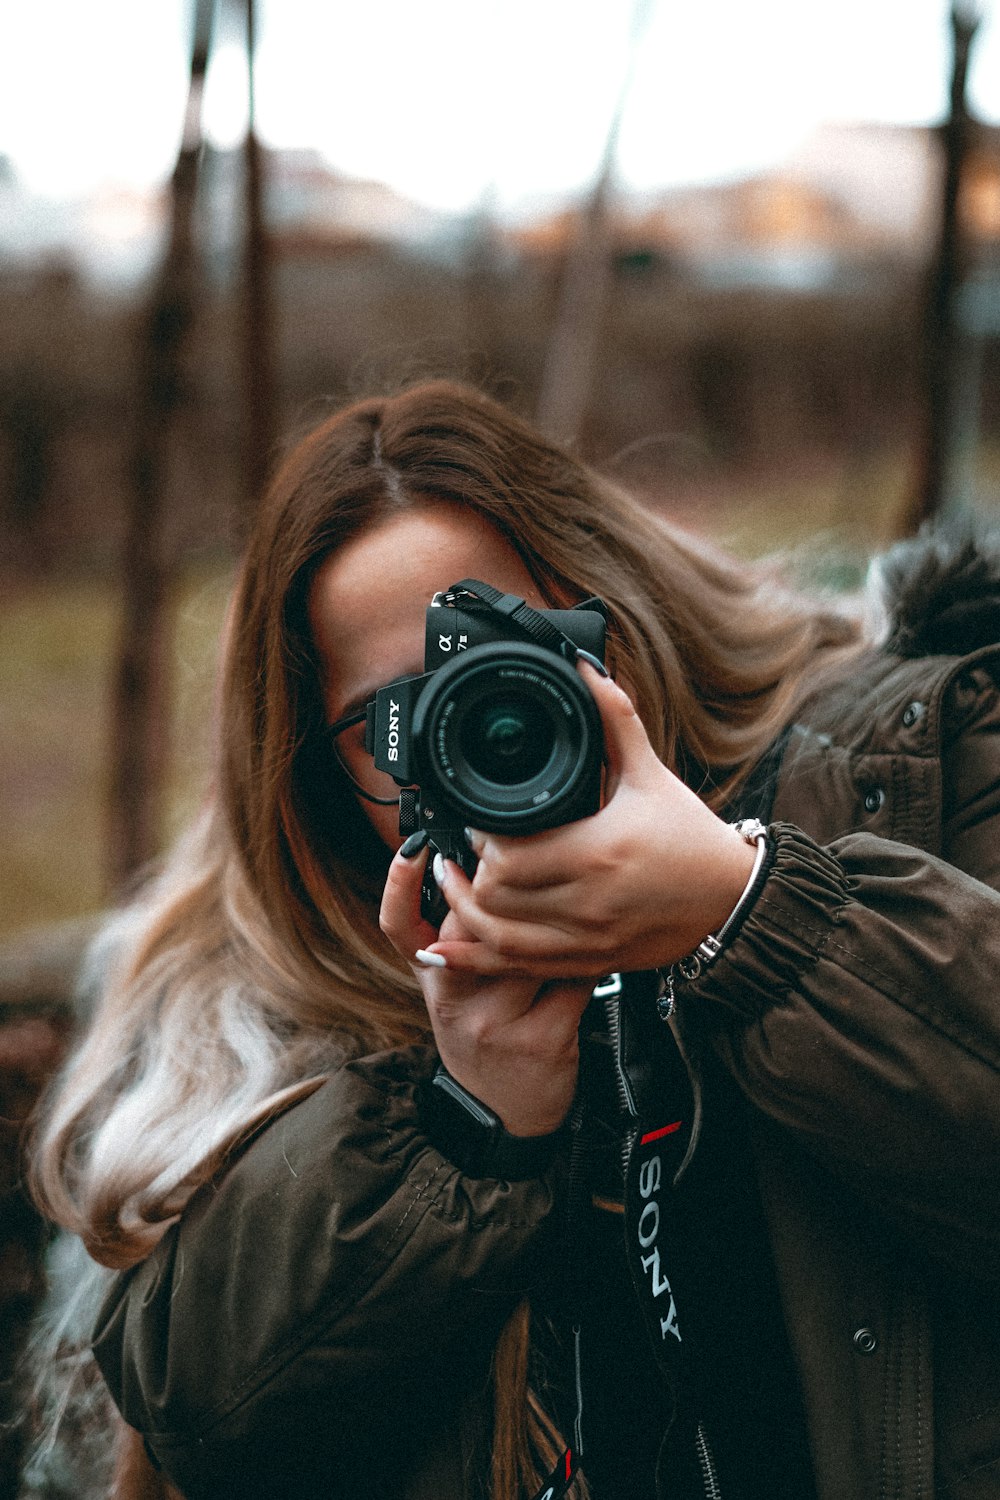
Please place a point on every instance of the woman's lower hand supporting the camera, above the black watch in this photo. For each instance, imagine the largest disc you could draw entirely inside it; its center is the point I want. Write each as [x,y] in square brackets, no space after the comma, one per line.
[510,1042]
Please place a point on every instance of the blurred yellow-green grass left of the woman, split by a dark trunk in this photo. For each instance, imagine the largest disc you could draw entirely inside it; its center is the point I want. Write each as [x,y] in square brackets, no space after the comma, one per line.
[58,655]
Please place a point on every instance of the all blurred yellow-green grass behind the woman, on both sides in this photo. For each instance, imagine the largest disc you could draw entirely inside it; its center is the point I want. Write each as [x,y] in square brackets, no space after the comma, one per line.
[58,652]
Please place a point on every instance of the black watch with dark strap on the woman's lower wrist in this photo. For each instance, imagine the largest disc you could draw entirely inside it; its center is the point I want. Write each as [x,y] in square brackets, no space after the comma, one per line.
[470,1135]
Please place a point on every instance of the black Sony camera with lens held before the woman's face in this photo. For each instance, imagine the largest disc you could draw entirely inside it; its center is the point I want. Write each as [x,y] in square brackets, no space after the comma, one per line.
[500,731]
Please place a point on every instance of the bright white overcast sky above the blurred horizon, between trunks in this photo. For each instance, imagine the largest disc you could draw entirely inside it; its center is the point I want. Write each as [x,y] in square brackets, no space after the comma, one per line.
[448,100]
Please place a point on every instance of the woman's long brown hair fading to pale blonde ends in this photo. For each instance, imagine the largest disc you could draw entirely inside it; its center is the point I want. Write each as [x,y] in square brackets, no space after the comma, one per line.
[254,962]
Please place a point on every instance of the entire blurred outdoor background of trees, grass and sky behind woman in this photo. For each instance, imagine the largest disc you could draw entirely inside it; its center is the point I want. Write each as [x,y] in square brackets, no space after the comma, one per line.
[747,259]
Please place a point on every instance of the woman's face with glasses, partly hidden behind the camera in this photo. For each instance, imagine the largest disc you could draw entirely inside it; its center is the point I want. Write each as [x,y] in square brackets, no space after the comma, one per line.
[367,613]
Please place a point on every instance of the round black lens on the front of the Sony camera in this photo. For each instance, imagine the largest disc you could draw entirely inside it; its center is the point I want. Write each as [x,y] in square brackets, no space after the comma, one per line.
[507,739]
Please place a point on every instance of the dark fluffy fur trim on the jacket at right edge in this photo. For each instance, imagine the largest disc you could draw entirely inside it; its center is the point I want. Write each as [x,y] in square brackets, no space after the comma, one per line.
[939,593]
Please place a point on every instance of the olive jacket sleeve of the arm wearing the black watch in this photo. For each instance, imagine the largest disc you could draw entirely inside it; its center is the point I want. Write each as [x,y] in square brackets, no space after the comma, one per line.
[320,1312]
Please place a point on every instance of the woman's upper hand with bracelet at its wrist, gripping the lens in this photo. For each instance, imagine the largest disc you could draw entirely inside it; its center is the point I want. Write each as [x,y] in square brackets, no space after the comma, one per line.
[635,887]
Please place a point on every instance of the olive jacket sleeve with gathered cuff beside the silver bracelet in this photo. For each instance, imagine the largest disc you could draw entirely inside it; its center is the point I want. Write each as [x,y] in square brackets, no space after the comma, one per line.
[860,1006]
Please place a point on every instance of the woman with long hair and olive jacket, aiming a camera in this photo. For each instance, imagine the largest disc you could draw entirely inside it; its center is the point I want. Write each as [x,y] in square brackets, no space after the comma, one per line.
[364,1178]
